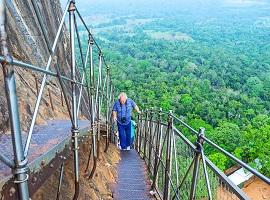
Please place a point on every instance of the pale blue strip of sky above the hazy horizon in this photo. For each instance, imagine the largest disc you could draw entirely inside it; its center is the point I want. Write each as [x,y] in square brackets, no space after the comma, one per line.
[126,7]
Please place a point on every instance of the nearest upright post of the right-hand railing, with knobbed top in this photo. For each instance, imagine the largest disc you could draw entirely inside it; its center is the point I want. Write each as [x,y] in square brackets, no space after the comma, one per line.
[196,165]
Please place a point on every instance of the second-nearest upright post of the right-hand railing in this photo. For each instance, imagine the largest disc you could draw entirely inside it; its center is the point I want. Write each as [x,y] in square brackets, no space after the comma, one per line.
[166,191]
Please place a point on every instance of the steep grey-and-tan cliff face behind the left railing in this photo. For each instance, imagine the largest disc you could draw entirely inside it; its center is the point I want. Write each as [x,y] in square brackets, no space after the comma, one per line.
[27,43]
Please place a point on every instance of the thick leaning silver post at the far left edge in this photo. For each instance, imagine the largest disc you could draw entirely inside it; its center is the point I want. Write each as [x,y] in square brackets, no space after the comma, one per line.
[21,170]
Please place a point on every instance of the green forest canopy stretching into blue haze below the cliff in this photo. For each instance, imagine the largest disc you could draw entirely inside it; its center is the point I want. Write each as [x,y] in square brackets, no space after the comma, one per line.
[211,66]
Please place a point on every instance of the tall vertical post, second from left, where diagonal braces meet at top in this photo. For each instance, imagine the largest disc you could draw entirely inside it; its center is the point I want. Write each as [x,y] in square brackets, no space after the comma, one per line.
[74,129]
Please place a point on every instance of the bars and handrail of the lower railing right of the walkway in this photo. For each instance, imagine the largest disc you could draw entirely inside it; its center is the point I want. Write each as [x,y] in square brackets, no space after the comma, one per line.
[159,162]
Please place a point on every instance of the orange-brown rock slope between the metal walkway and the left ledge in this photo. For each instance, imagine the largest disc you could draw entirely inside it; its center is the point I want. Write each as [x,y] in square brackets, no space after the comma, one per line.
[97,188]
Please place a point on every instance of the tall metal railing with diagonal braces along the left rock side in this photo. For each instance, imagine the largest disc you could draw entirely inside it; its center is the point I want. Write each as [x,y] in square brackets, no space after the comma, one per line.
[95,94]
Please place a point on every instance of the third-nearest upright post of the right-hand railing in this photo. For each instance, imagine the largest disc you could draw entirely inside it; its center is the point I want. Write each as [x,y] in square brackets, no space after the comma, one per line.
[155,175]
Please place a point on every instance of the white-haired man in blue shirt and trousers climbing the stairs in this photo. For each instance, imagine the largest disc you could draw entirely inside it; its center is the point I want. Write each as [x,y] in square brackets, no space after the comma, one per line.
[122,110]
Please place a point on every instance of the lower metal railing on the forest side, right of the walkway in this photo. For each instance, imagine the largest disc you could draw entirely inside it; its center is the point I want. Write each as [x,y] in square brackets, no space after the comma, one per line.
[178,168]
